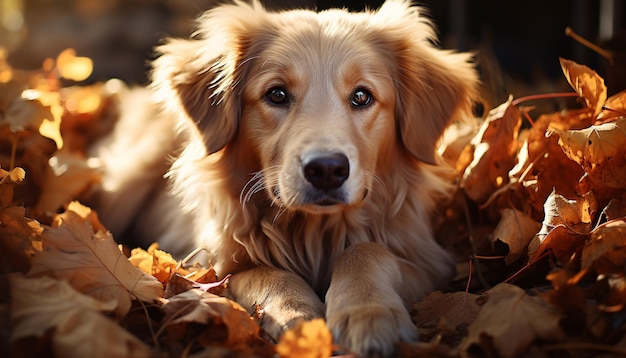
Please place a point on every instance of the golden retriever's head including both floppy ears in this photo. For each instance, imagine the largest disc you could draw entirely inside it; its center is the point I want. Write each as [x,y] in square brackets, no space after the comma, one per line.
[322,102]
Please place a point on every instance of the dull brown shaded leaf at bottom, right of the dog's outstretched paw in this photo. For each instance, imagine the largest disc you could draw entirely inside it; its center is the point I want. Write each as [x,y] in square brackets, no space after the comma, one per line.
[511,320]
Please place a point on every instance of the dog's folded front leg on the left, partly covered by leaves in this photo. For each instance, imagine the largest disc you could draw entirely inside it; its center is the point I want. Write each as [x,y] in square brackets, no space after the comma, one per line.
[284,297]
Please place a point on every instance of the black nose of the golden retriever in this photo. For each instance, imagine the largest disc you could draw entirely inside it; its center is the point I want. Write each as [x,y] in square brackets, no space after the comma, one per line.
[327,171]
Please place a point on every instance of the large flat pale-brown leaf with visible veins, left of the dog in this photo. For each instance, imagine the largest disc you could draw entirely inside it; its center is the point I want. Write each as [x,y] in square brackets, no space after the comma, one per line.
[92,263]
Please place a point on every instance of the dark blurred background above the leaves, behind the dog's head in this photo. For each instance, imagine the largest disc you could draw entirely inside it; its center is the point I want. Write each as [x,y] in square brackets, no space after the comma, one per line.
[518,43]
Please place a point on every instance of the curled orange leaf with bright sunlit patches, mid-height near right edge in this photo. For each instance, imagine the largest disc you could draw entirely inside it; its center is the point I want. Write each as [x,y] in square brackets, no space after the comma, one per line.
[565,227]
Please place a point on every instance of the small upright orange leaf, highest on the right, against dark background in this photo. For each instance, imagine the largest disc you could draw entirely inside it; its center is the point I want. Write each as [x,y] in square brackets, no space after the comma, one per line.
[586,82]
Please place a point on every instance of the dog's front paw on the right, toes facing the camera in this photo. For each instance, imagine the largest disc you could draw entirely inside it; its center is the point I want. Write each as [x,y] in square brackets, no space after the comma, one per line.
[371,330]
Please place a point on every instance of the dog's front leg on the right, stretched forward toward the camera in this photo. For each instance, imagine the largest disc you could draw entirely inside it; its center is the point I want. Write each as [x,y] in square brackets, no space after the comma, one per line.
[365,311]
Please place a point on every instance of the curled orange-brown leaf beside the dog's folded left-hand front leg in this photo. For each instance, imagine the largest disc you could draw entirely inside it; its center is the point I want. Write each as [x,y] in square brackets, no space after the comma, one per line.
[234,324]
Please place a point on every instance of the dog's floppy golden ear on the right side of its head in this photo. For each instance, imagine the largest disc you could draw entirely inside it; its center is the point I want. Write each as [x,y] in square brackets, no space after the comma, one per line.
[433,86]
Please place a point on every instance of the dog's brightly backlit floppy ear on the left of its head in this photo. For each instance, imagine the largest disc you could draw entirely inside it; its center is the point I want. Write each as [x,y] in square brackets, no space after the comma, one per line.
[201,77]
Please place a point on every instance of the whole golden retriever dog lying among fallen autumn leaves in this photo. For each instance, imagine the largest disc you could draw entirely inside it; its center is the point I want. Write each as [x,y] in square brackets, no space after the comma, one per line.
[304,162]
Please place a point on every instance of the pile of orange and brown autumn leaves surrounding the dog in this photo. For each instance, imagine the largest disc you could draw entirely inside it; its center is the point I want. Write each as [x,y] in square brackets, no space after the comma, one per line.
[541,215]
